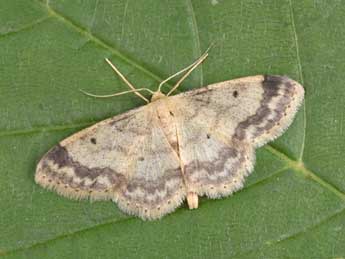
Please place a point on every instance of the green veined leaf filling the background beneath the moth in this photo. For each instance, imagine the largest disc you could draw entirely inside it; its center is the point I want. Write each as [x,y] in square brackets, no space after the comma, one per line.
[293,205]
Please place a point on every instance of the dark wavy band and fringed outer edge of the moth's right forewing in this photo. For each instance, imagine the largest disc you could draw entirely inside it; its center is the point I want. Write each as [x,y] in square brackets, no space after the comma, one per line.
[280,101]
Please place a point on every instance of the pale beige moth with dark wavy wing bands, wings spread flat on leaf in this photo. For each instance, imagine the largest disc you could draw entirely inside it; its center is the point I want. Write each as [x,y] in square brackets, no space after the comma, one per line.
[197,143]
